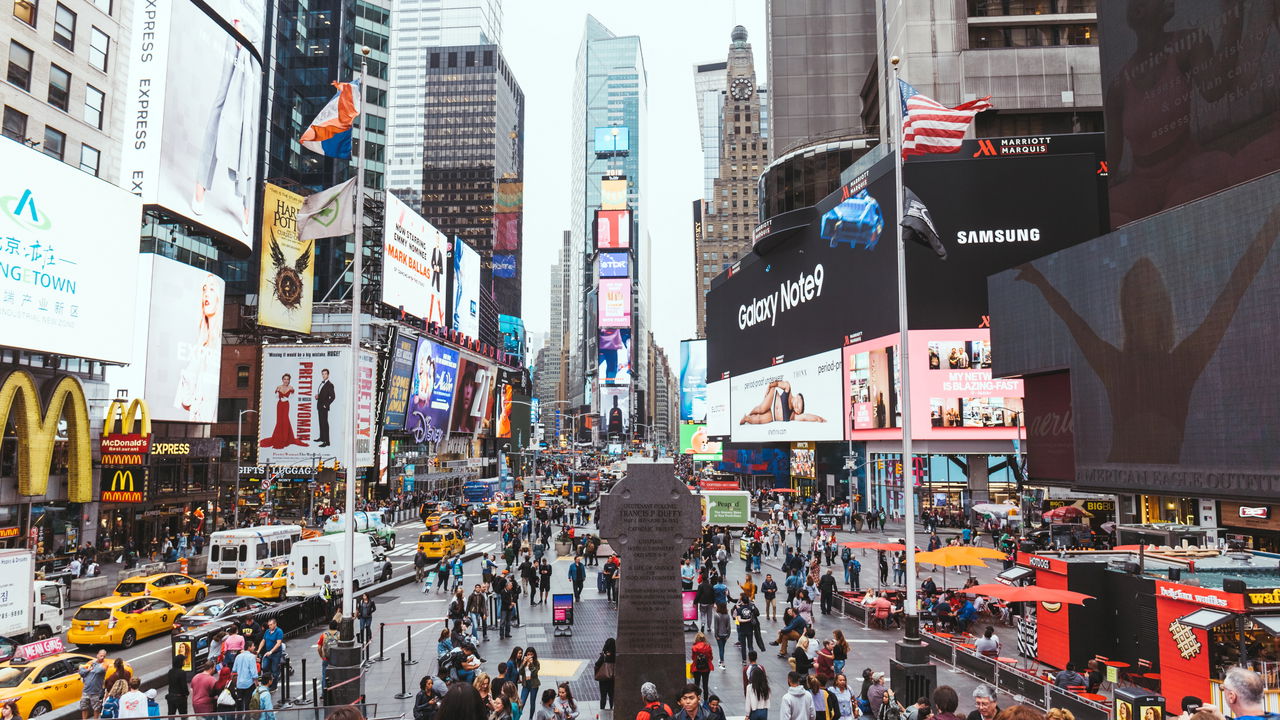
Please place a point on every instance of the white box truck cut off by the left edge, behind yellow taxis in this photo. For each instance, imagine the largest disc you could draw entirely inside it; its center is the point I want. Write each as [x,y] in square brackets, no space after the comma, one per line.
[30,609]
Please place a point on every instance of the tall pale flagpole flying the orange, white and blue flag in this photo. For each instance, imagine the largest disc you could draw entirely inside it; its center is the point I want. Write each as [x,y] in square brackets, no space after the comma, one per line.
[349,591]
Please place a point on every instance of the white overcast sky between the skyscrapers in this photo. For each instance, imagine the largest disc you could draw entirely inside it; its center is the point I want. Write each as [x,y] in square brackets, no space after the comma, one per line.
[541,43]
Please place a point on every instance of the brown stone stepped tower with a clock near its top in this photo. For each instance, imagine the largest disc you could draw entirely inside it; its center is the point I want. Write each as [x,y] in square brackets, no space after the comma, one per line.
[730,215]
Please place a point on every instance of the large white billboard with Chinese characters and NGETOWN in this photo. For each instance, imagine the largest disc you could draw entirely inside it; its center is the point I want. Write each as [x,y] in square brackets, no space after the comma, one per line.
[68,259]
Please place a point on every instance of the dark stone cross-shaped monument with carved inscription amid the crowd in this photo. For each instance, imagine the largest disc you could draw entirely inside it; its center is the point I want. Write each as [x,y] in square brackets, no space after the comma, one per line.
[650,521]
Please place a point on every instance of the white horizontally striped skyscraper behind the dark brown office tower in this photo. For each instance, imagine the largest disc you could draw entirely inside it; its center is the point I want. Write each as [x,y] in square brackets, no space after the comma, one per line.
[418,28]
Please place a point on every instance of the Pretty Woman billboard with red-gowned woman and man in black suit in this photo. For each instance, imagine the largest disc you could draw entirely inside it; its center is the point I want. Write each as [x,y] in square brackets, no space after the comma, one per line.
[305,405]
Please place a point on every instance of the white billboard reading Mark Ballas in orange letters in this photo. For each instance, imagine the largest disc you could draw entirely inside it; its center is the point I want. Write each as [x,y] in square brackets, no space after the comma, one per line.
[414,254]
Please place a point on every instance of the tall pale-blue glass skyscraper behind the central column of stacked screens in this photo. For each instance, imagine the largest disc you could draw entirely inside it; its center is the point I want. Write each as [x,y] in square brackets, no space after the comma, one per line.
[610,92]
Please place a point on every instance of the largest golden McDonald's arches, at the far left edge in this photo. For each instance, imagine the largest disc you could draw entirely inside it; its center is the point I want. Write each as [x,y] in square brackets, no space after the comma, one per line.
[35,416]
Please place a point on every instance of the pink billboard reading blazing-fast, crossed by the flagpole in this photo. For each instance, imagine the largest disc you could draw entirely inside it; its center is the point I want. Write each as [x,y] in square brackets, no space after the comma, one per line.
[954,395]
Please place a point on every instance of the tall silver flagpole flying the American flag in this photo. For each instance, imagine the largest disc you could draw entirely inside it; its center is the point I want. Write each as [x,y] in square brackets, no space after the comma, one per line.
[912,607]
